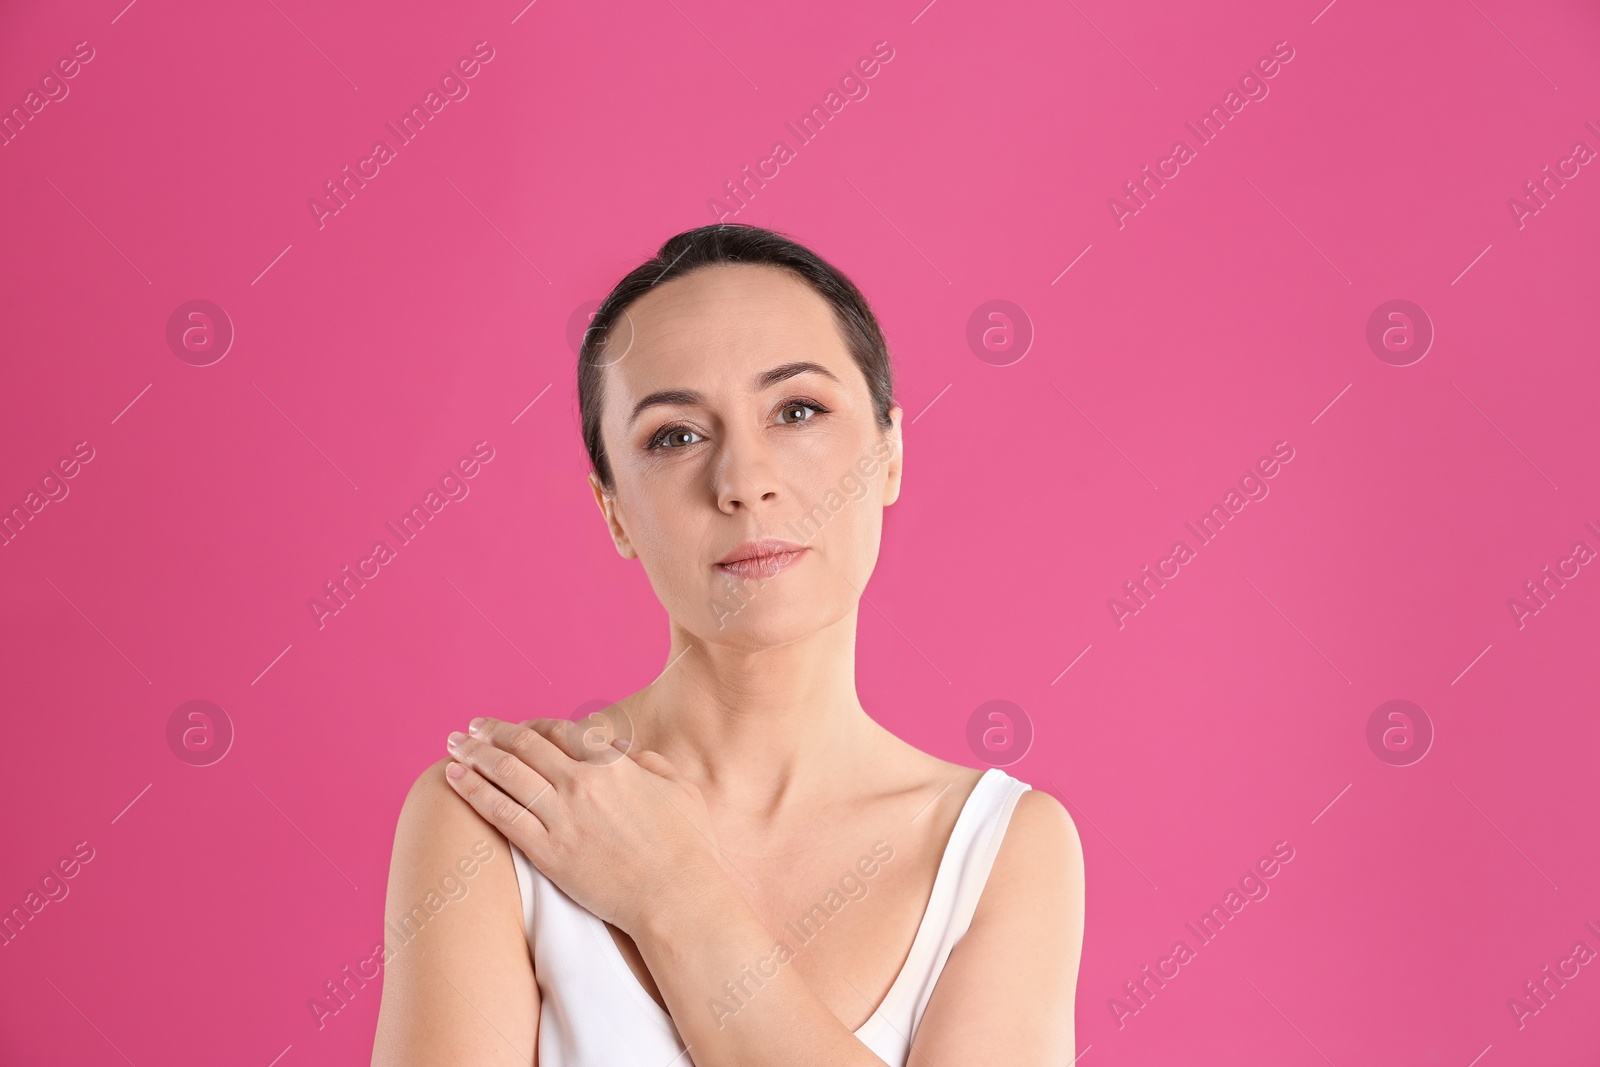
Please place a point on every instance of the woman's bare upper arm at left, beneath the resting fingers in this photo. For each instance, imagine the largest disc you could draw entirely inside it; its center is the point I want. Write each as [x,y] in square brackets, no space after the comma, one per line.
[458,985]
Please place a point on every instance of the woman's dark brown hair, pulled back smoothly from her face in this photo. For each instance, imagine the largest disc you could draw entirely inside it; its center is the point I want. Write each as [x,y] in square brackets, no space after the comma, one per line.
[732,244]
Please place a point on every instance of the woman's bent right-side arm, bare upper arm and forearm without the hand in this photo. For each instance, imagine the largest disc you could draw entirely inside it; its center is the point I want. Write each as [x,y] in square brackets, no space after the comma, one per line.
[1006,994]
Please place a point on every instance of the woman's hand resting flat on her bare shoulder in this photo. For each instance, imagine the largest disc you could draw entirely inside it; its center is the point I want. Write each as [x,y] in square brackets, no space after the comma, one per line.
[620,834]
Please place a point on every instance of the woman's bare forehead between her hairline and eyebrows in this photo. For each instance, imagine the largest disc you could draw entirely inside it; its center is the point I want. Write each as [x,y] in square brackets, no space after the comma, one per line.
[721,326]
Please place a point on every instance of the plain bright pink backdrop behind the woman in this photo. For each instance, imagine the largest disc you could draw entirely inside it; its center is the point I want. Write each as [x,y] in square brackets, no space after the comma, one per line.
[436,306]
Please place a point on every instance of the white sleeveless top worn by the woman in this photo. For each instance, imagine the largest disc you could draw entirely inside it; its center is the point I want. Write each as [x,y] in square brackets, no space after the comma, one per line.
[593,1012]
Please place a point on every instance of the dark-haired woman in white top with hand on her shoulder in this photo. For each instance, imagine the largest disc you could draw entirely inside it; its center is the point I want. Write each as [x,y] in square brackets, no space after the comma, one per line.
[738,866]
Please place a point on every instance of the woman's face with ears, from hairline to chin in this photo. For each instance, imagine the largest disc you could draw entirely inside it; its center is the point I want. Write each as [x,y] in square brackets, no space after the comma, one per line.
[734,412]
